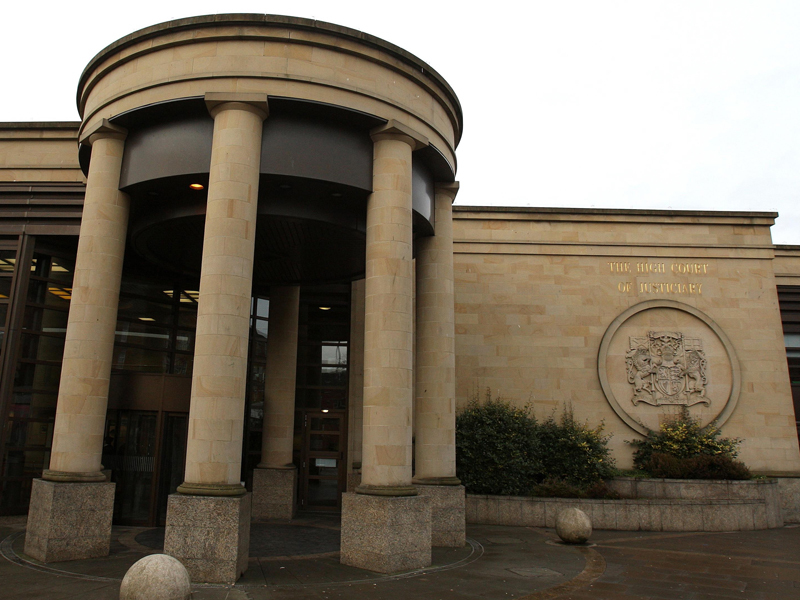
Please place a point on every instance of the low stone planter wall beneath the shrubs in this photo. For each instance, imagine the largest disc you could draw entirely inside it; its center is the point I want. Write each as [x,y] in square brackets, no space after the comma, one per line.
[685,505]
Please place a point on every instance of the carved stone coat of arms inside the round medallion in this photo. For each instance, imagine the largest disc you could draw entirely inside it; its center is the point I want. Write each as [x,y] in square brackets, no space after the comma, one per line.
[667,368]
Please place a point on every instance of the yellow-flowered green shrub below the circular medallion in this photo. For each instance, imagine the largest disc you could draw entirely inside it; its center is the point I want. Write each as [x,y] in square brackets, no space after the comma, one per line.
[682,449]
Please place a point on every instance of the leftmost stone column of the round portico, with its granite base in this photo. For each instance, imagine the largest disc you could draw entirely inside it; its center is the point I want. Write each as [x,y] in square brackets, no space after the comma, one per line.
[71,506]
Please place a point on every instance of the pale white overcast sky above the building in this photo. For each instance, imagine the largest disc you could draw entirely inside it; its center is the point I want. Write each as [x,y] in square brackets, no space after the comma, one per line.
[638,104]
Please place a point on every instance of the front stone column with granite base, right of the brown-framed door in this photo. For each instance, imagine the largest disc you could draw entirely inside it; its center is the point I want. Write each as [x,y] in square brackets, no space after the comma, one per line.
[385,525]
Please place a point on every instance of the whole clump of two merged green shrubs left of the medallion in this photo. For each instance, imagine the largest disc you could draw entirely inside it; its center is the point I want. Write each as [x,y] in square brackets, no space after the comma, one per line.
[504,450]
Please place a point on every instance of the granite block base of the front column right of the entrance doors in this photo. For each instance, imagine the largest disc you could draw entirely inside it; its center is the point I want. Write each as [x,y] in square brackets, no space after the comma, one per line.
[386,534]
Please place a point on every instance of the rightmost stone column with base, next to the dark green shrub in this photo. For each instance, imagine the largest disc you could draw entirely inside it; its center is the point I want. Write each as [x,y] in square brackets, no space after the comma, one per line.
[434,372]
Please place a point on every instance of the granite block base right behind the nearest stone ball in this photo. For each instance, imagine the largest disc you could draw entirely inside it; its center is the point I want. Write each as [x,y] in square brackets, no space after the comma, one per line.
[210,535]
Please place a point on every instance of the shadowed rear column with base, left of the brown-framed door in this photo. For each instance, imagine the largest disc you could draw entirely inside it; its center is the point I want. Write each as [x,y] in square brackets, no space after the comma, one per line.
[275,479]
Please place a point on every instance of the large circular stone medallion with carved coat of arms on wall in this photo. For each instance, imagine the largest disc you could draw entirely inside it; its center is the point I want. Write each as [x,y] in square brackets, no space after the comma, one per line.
[660,356]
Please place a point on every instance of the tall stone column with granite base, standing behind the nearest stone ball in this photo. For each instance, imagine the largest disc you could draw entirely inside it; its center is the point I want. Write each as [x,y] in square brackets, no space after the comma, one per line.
[211,509]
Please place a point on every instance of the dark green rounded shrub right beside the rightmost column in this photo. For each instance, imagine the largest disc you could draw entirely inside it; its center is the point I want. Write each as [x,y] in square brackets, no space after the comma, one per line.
[497,448]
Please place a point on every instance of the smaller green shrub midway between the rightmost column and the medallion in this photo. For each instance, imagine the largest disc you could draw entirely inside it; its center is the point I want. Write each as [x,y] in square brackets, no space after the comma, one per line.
[573,452]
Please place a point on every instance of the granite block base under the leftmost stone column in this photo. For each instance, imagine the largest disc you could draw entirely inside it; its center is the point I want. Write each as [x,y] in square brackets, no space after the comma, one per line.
[69,521]
